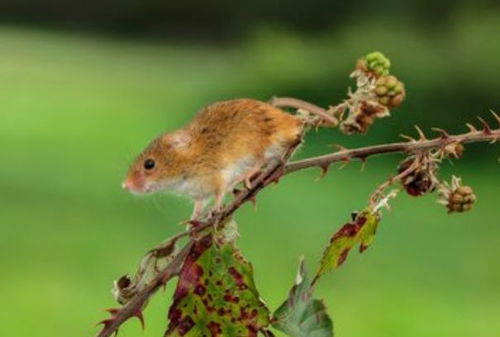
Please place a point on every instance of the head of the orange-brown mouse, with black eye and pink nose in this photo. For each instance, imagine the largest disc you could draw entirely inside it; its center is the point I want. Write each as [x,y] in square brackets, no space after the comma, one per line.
[157,166]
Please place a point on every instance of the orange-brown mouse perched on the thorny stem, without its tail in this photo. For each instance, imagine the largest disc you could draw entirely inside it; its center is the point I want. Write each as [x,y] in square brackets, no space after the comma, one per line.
[225,144]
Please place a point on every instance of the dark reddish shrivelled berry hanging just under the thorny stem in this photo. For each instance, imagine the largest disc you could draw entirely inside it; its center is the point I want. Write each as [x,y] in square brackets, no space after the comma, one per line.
[420,181]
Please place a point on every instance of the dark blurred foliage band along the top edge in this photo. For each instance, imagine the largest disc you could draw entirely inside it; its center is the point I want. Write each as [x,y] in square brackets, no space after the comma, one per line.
[224,19]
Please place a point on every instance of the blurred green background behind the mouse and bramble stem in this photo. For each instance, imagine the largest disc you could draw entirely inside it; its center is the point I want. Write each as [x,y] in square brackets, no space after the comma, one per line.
[85,85]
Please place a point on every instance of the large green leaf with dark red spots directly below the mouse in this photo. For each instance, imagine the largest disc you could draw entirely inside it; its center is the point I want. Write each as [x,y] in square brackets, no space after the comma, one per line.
[216,294]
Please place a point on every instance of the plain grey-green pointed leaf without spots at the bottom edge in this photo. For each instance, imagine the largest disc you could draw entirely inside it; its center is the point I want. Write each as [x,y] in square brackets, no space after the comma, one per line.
[301,315]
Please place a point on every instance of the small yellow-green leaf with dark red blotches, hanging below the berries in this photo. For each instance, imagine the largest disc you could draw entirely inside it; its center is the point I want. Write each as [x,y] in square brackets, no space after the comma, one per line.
[361,230]
